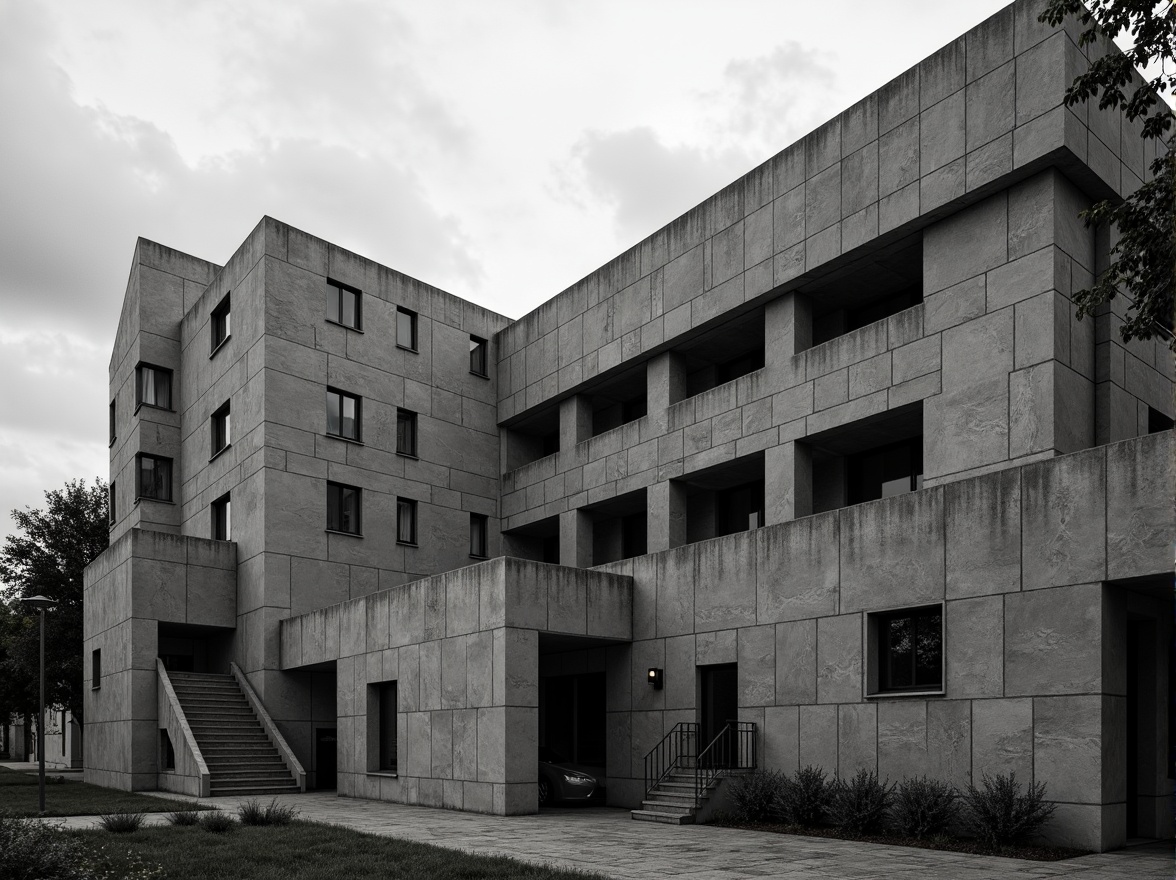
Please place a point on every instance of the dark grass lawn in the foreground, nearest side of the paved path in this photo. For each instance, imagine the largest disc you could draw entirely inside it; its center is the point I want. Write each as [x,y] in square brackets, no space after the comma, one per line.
[310,852]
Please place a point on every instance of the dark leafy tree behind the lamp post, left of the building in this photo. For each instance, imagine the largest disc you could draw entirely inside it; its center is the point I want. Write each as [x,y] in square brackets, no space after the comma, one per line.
[48,559]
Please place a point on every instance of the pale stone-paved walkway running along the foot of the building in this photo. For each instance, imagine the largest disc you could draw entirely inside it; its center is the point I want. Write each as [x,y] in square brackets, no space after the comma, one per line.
[610,843]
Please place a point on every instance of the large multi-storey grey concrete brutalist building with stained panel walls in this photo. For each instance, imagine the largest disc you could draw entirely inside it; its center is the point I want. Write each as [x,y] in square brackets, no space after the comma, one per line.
[827,465]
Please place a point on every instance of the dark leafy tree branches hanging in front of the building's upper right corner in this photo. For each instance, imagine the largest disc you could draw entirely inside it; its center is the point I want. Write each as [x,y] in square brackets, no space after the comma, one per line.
[1144,259]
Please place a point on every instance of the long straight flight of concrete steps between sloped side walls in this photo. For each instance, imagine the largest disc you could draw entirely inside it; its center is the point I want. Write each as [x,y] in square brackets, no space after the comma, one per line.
[239,755]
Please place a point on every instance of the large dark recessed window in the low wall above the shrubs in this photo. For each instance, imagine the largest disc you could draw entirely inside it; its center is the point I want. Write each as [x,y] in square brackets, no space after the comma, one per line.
[906,650]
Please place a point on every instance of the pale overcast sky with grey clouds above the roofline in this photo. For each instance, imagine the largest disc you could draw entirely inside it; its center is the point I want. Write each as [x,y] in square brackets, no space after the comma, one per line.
[500,150]
